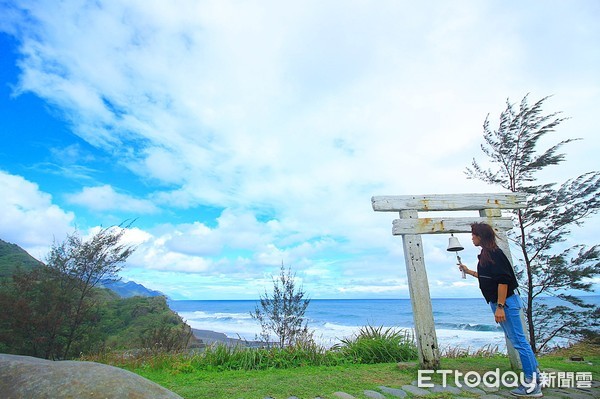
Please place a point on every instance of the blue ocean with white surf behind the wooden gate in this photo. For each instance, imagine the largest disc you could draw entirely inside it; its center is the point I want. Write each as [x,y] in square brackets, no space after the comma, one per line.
[460,323]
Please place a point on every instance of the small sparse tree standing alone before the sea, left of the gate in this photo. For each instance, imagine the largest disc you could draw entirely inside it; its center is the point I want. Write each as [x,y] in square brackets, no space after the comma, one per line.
[283,313]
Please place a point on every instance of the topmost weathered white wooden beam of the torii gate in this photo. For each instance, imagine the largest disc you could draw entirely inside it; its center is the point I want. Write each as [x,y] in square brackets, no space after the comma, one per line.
[449,202]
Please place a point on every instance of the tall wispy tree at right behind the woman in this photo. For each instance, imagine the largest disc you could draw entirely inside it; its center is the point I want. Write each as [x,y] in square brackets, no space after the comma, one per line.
[546,267]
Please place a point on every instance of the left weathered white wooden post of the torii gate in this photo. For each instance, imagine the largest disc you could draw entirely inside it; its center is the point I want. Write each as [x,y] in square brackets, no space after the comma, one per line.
[429,356]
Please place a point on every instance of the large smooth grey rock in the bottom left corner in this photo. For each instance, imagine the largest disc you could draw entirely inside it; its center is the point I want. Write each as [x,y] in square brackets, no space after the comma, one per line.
[24,377]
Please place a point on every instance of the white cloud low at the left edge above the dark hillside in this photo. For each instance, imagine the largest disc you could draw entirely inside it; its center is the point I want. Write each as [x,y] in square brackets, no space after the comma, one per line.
[29,218]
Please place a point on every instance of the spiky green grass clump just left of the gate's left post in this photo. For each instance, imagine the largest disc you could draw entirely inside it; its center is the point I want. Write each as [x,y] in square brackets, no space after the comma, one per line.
[378,345]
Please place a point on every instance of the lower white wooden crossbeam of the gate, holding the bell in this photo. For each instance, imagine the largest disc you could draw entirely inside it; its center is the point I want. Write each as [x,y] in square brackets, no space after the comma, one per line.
[447,225]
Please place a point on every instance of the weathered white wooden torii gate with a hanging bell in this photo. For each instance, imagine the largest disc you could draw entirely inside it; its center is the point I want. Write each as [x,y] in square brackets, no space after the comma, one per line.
[410,227]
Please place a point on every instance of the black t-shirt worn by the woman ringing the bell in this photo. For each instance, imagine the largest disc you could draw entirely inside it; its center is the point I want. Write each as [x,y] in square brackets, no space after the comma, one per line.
[499,271]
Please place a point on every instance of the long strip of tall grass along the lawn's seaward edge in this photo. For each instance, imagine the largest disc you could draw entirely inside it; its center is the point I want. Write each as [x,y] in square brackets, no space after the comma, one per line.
[370,345]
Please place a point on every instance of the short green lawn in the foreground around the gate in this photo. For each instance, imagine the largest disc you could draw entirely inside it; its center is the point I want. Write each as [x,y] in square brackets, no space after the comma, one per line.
[191,378]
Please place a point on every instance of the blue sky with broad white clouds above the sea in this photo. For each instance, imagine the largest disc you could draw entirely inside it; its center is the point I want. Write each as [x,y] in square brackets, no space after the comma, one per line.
[243,135]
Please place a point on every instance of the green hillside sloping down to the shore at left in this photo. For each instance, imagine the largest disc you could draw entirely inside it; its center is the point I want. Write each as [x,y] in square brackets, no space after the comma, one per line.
[35,317]
